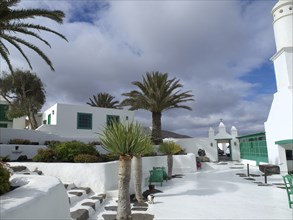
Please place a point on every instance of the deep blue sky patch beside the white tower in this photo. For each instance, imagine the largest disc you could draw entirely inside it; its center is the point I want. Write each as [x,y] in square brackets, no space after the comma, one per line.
[263,79]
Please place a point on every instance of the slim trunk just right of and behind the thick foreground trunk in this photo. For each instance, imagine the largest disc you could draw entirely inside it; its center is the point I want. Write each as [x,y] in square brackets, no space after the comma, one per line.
[137,173]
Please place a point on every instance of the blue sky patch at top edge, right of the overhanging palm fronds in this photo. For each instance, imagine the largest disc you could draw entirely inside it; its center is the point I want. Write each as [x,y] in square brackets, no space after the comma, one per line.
[88,10]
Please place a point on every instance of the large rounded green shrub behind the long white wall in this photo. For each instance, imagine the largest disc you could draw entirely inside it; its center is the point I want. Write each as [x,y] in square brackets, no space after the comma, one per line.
[68,150]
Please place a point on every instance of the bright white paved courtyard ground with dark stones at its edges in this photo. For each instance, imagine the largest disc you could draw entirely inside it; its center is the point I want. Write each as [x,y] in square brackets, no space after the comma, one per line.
[216,192]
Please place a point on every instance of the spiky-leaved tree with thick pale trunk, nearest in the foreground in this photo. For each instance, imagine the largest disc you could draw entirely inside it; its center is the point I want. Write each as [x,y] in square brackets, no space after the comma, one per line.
[124,140]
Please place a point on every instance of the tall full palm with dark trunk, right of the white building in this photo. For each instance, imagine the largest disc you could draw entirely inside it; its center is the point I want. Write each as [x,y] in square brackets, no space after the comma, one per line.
[157,93]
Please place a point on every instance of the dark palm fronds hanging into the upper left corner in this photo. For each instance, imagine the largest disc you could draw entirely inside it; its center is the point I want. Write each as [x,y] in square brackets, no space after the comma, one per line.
[14,21]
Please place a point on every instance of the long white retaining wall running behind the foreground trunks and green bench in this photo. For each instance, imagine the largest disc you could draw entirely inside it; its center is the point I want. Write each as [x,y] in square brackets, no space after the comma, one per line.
[103,177]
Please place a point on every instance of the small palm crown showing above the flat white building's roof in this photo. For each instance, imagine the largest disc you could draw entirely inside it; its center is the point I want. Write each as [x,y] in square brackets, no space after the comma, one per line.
[103,100]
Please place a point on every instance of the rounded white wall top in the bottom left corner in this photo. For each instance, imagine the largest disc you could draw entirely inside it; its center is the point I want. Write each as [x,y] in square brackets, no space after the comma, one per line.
[42,197]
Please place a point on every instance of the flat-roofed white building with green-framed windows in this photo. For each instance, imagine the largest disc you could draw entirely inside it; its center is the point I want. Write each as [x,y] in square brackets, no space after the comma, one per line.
[80,121]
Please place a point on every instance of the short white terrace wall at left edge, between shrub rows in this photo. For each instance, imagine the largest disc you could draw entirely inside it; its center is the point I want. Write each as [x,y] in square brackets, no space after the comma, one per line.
[29,150]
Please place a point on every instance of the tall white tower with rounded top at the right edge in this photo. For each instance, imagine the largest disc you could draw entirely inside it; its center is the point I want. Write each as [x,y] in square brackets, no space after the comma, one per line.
[279,125]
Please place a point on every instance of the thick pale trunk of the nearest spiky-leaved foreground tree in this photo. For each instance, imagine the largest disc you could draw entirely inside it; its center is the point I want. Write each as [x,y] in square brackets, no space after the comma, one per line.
[124,210]
